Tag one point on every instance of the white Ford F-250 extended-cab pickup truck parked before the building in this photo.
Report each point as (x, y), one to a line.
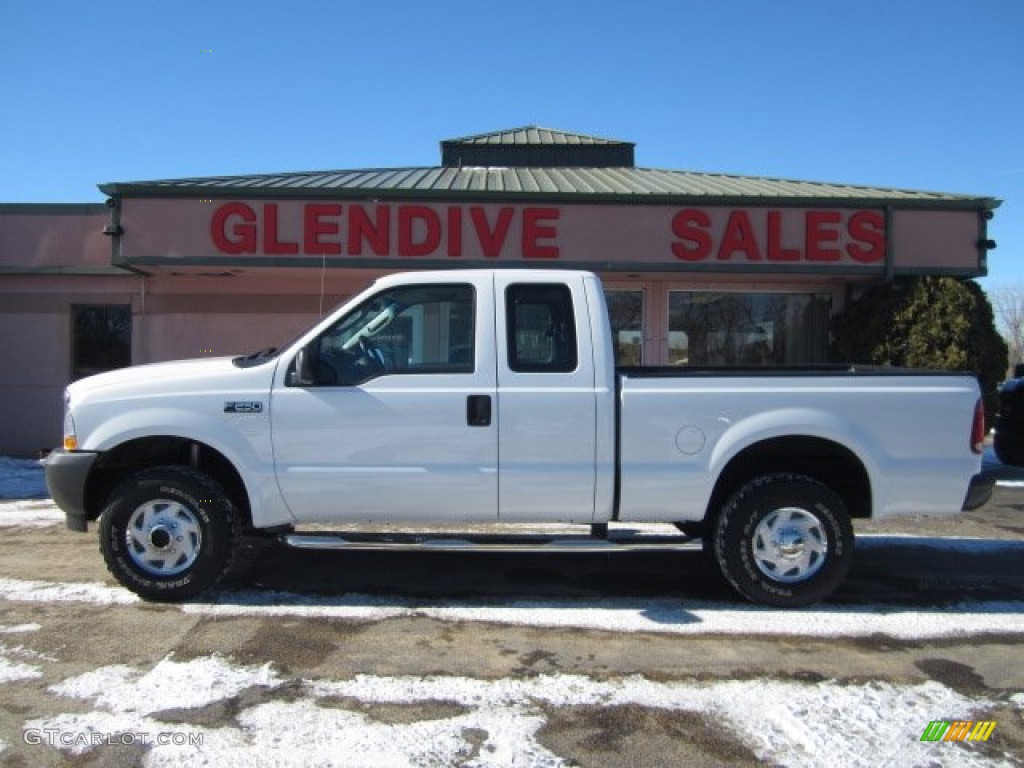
(476, 397)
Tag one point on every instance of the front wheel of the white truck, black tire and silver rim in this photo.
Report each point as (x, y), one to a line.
(168, 534)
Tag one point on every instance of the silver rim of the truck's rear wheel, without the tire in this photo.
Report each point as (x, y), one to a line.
(790, 545)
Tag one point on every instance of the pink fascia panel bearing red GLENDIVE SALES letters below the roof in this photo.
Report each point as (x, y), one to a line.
(751, 238)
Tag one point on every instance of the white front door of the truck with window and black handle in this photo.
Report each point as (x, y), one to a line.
(388, 415)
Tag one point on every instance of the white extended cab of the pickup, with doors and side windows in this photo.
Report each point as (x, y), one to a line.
(482, 388)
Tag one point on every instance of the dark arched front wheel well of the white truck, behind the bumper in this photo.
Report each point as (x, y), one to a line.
(115, 465)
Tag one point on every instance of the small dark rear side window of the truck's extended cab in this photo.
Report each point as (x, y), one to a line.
(541, 328)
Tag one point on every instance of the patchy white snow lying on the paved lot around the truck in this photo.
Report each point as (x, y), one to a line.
(791, 723)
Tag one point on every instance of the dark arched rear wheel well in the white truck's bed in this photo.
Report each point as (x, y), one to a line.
(828, 462)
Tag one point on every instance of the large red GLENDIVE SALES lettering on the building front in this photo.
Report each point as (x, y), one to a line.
(748, 236)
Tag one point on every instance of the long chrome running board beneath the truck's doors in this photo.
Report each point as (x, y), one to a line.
(486, 543)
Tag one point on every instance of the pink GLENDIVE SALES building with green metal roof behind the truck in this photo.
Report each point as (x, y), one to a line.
(700, 269)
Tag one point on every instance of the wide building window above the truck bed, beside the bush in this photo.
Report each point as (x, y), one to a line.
(754, 329)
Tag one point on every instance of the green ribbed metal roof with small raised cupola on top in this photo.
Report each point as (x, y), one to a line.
(549, 178)
